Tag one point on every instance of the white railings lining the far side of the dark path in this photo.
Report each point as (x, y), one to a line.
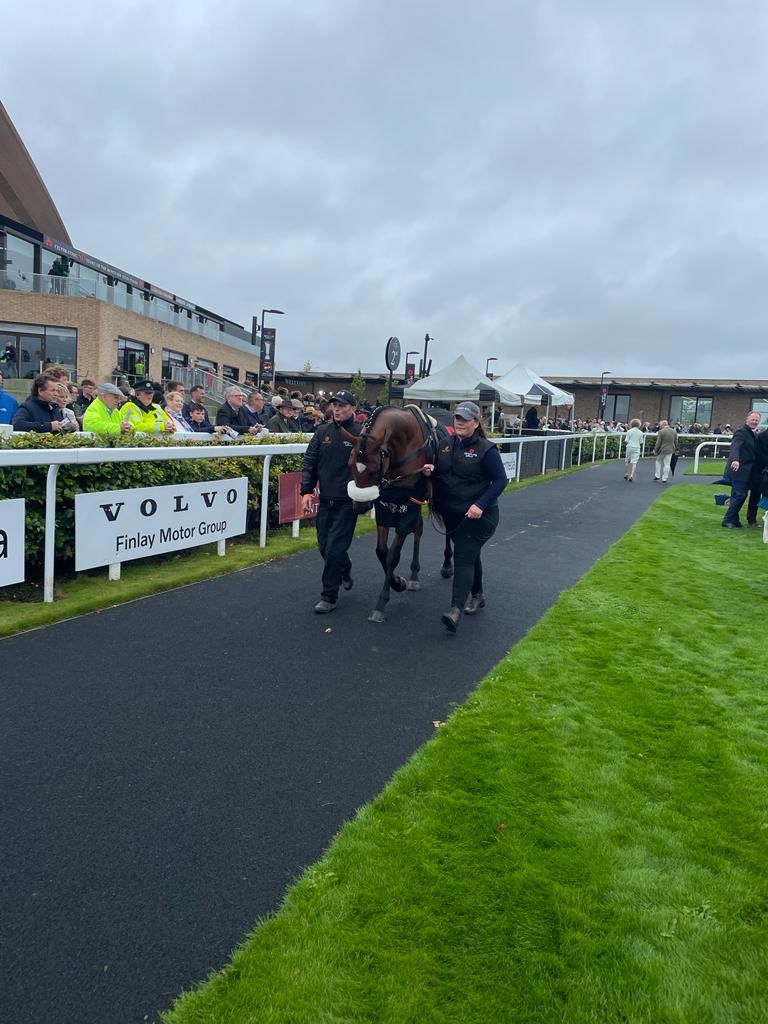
(54, 458)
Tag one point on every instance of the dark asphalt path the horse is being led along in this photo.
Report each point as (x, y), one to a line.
(169, 766)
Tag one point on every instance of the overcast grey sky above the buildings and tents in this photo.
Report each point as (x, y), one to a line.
(579, 185)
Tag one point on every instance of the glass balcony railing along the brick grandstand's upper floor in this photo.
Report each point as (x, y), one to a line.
(118, 295)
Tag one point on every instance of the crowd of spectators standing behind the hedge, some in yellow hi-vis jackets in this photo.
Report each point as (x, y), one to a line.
(59, 406)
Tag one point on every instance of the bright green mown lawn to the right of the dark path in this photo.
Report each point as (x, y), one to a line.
(585, 841)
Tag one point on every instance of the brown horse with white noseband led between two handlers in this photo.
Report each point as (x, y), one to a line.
(387, 462)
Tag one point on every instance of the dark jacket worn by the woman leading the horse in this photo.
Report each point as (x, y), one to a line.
(471, 472)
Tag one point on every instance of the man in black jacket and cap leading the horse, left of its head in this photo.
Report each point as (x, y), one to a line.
(327, 463)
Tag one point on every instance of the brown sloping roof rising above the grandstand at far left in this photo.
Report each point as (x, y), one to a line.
(24, 196)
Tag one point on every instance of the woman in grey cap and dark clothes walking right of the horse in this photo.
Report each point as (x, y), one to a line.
(471, 478)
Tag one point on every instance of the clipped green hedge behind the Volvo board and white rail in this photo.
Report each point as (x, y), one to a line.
(29, 483)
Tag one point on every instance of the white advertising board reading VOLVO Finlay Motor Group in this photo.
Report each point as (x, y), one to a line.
(118, 526)
